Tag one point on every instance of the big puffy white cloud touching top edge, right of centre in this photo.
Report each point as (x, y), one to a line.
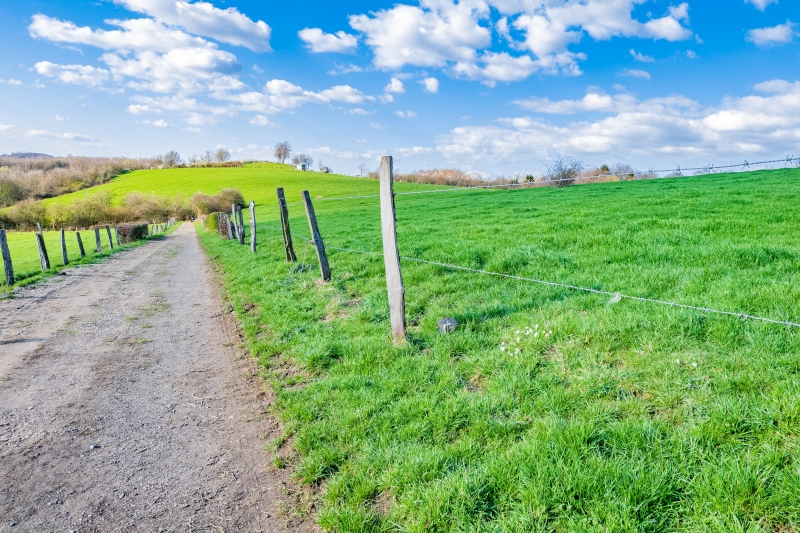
(457, 36)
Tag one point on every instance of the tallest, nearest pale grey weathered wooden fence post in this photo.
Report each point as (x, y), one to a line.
(391, 256)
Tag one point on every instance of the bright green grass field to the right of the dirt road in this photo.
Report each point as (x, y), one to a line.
(548, 409)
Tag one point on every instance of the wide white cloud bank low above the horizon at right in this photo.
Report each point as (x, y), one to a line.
(671, 127)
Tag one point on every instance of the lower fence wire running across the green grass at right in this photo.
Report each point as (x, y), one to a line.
(615, 296)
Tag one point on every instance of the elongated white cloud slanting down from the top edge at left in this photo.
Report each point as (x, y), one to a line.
(202, 18)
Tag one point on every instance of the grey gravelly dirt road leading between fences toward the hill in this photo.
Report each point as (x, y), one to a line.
(124, 406)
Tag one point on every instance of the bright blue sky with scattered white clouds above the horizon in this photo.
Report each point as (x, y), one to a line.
(492, 86)
